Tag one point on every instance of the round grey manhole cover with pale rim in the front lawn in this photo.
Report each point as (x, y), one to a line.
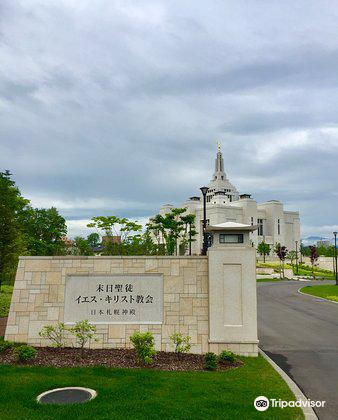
(70, 395)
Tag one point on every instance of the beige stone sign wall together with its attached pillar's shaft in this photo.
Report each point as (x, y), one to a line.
(211, 299)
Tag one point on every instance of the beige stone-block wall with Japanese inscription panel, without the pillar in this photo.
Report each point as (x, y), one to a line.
(47, 288)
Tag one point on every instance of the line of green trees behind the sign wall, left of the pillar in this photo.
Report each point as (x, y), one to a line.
(25, 230)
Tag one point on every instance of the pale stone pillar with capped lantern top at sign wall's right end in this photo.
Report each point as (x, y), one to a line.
(232, 290)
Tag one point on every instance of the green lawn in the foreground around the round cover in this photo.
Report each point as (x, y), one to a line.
(135, 394)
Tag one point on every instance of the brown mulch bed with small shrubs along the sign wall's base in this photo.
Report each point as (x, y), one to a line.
(122, 358)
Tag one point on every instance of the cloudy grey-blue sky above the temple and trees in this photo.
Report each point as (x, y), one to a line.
(115, 107)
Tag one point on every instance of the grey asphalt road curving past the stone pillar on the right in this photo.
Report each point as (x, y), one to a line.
(300, 333)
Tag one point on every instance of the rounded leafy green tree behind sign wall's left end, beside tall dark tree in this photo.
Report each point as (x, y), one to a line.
(44, 230)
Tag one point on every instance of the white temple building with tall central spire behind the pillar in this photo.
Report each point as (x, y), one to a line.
(225, 204)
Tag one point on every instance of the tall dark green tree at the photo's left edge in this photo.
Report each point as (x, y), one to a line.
(12, 242)
